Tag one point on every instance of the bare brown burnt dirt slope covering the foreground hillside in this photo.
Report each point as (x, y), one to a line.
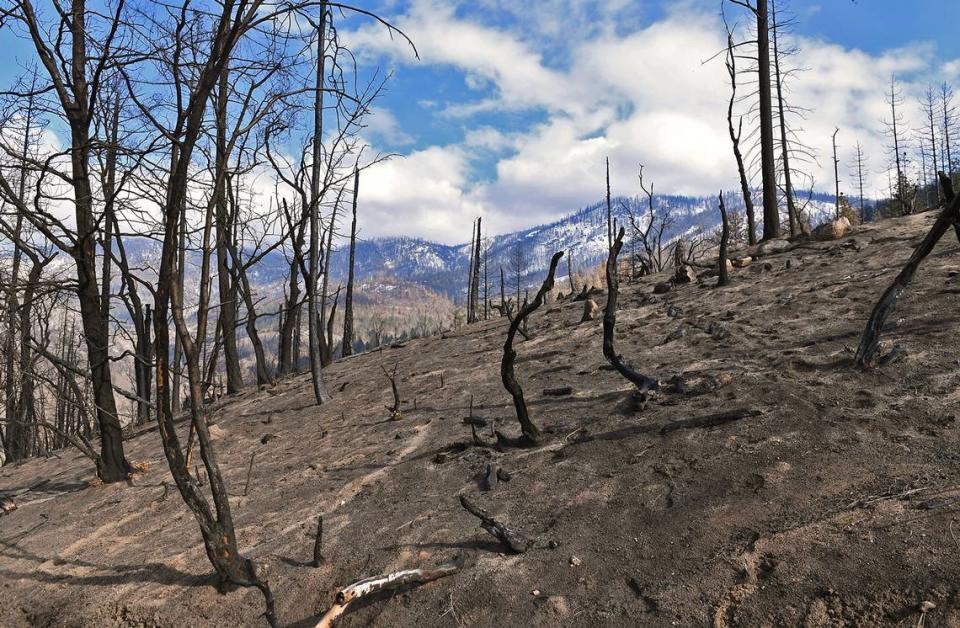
(833, 507)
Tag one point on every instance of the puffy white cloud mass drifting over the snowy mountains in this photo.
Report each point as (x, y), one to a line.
(638, 92)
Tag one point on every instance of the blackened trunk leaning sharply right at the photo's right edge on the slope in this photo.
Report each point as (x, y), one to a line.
(870, 341)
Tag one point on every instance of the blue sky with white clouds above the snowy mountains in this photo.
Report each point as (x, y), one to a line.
(513, 107)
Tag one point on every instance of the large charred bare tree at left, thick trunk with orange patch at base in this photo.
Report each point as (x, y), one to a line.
(75, 79)
